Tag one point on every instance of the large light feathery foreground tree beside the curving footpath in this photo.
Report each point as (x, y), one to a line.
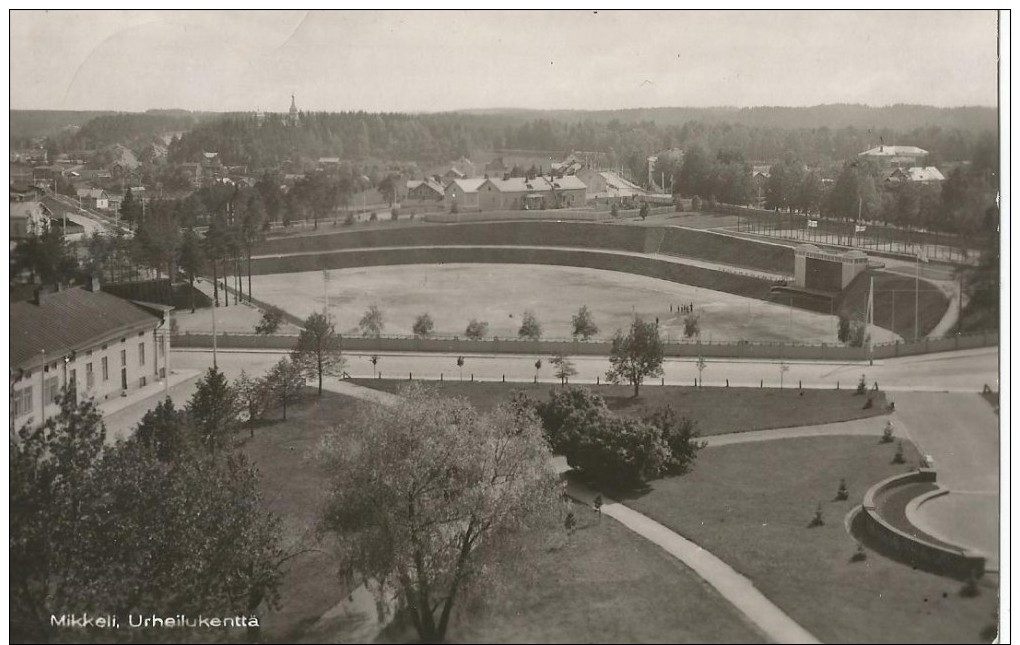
(433, 493)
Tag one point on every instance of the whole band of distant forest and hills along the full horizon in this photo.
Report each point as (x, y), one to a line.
(820, 136)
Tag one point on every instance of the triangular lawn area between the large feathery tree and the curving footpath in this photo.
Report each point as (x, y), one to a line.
(605, 585)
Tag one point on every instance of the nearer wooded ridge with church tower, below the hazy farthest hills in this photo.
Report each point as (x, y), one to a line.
(242, 140)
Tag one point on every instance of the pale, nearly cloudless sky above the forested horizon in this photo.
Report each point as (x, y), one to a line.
(421, 62)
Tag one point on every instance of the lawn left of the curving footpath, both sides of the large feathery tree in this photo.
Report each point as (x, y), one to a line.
(606, 585)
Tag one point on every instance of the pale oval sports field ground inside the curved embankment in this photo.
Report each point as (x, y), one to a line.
(499, 294)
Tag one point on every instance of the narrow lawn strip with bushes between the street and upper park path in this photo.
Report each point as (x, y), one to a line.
(718, 411)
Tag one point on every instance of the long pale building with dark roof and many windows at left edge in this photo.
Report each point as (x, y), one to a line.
(86, 340)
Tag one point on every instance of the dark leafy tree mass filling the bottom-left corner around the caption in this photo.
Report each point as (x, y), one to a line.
(132, 527)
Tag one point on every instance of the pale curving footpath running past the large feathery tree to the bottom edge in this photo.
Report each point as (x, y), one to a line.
(737, 589)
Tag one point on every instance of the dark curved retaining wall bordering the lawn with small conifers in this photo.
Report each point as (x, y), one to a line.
(917, 552)
